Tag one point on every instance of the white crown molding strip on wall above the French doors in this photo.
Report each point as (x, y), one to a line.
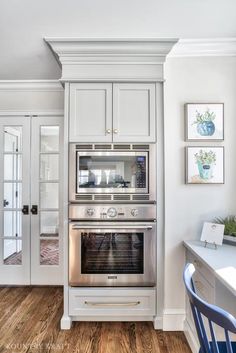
(31, 85)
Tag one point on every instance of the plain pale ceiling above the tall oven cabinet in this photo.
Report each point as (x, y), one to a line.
(24, 24)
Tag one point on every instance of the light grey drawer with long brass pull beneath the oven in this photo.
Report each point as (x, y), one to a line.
(109, 302)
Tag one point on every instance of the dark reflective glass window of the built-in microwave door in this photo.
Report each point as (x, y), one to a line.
(116, 171)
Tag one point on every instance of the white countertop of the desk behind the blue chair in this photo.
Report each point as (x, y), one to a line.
(221, 261)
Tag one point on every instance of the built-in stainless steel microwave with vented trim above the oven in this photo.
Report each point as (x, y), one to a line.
(112, 172)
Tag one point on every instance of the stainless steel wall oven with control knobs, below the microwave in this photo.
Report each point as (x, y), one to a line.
(111, 251)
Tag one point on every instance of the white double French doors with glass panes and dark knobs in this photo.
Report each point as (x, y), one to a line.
(30, 164)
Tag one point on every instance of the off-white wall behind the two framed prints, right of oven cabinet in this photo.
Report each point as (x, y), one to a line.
(187, 206)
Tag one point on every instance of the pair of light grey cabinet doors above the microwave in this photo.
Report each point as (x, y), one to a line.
(106, 112)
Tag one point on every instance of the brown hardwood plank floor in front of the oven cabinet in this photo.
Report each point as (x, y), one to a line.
(30, 318)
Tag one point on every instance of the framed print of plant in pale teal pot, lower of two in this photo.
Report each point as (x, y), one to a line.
(205, 165)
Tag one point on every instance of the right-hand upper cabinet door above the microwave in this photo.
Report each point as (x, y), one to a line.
(134, 112)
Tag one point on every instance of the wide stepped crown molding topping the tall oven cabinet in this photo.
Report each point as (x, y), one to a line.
(111, 58)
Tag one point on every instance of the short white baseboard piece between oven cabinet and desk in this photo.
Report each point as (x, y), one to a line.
(173, 319)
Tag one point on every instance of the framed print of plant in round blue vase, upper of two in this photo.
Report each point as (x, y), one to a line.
(204, 121)
